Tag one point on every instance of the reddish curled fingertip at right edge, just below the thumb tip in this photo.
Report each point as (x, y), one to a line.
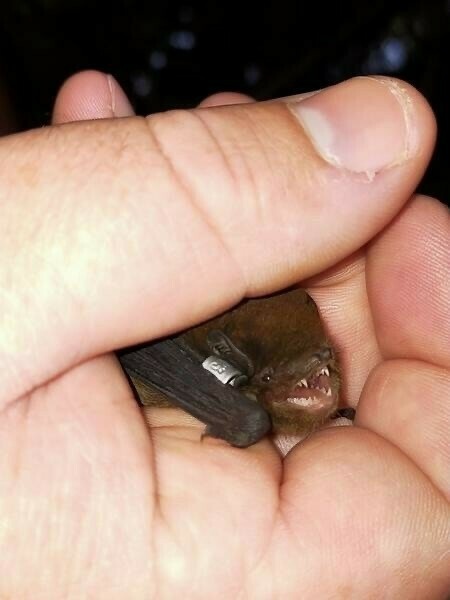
(409, 285)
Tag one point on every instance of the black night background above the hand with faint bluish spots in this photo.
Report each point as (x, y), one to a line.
(173, 54)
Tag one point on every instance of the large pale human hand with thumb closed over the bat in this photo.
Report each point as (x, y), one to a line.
(119, 231)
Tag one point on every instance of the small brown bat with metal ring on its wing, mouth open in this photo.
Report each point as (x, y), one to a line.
(267, 356)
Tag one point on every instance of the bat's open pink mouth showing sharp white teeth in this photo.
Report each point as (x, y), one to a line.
(313, 392)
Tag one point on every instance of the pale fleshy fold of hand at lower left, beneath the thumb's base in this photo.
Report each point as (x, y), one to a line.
(85, 477)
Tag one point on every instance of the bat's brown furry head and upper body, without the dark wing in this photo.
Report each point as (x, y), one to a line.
(280, 345)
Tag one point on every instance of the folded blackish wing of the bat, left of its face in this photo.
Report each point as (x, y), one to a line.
(170, 367)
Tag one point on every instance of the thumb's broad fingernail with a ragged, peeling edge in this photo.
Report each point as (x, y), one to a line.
(363, 125)
